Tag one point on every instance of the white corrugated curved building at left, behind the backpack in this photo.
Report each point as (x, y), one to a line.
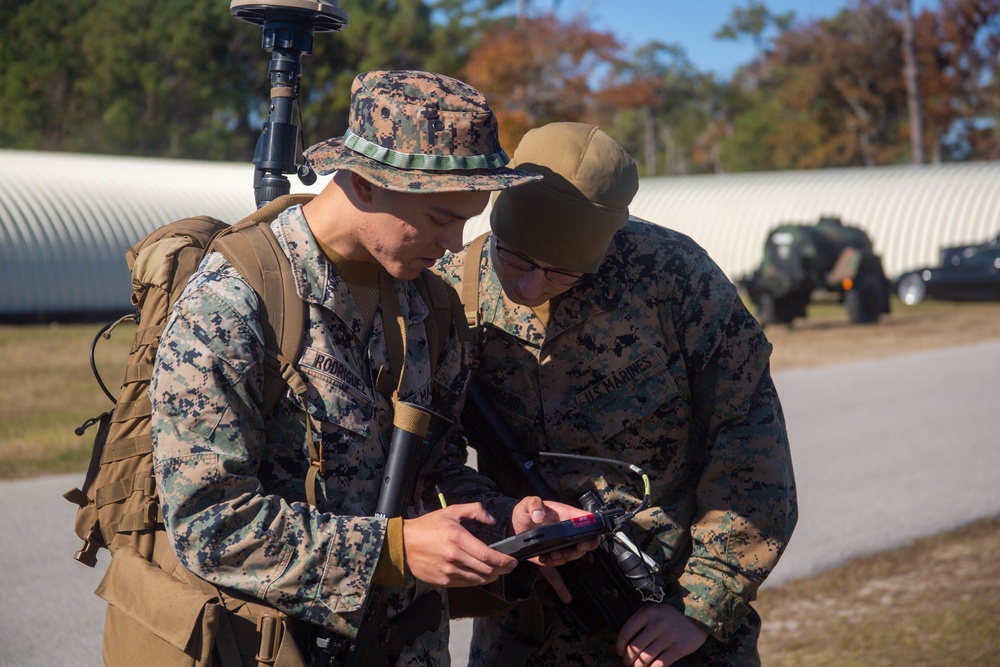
(66, 219)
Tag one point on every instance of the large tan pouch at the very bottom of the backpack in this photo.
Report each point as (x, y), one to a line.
(153, 618)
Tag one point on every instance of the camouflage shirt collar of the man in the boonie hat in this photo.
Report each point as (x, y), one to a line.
(318, 284)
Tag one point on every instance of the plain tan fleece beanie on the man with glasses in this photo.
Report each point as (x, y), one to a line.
(567, 219)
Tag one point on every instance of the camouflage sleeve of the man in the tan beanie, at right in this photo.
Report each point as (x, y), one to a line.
(745, 496)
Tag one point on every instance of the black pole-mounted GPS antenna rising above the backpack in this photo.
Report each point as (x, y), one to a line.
(288, 27)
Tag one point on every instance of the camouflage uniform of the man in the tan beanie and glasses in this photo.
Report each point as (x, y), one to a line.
(657, 363)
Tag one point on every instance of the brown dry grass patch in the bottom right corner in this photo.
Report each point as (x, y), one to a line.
(934, 603)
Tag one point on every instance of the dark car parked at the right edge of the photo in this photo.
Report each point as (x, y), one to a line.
(966, 273)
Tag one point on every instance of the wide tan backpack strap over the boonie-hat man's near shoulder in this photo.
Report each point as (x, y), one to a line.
(251, 247)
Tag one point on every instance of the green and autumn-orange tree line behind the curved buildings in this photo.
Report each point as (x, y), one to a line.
(875, 84)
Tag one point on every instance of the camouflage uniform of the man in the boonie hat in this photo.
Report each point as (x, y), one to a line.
(232, 485)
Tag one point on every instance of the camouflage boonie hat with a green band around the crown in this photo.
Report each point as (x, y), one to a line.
(414, 131)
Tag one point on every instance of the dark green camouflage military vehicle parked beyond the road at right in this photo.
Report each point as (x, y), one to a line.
(802, 261)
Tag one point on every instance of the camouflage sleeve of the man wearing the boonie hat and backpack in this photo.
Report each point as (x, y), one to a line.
(224, 523)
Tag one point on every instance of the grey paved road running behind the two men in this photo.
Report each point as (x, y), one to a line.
(884, 451)
